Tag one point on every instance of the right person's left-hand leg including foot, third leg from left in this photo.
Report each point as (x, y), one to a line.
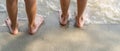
(64, 8)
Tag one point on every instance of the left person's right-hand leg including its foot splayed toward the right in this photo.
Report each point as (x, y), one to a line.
(31, 13)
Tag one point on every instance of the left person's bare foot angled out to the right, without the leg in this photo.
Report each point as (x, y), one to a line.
(38, 22)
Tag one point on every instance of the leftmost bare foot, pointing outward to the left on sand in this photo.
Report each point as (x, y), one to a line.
(13, 29)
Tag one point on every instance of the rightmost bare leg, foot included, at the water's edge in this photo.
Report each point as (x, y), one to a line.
(81, 4)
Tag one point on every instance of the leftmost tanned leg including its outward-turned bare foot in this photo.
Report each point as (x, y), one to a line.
(12, 12)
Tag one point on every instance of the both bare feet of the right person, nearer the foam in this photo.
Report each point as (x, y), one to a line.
(79, 21)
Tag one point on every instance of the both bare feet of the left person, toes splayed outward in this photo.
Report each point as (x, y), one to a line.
(32, 28)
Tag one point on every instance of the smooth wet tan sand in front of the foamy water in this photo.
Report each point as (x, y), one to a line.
(52, 37)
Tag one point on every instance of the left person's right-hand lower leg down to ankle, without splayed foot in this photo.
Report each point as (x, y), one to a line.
(31, 12)
